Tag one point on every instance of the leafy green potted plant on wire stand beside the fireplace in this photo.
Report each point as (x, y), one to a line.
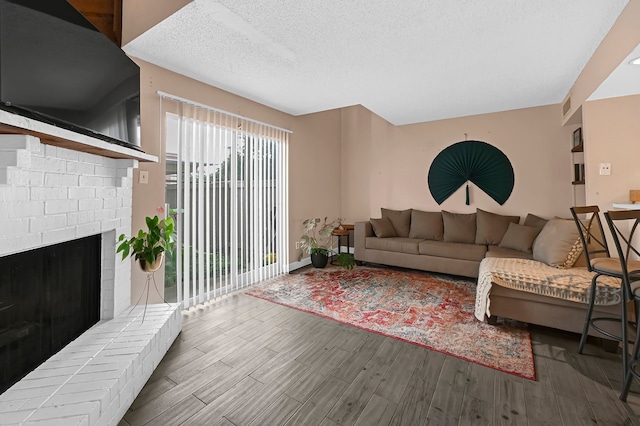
(148, 247)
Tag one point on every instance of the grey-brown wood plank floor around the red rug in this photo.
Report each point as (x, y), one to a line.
(245, 361)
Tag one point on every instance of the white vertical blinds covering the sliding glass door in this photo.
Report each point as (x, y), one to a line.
(227, 190)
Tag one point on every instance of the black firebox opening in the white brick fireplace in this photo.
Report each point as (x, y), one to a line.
(48, 297)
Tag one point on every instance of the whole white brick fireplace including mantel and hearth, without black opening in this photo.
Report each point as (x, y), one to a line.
(51, 194)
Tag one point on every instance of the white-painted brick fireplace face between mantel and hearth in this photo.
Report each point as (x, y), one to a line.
(49, 195)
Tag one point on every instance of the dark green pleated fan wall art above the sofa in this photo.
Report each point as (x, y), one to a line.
(471, 161)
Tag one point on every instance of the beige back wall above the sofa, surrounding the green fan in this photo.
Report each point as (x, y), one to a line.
(397, 160)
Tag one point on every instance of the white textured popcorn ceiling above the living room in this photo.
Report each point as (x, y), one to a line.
(407, 61)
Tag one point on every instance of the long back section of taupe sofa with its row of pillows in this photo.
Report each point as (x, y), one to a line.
(443, 242)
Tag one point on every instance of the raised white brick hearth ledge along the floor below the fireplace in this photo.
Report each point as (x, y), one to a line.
(95, 379)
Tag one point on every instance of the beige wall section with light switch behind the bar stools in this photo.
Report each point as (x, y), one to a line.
(612, 135)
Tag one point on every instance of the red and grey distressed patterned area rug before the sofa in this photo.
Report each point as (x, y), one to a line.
(435, 312)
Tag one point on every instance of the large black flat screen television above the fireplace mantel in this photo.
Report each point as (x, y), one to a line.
(57, 68)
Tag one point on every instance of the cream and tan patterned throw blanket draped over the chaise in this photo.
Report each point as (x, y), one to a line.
(572, 284)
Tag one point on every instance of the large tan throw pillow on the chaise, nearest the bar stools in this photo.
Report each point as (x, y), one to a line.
(558, 243)
